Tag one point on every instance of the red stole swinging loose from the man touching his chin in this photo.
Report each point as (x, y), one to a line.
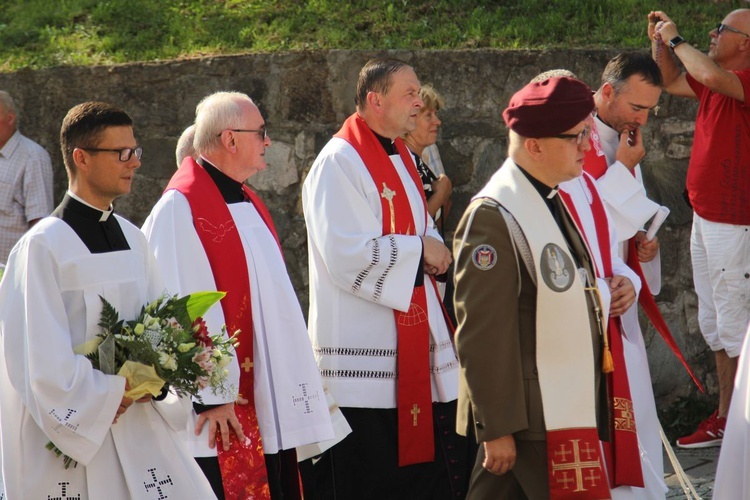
(596, 166)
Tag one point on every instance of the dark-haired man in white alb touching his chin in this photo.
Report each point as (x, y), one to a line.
(630, 90)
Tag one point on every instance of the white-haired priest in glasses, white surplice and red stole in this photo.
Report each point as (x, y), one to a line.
(210, 231)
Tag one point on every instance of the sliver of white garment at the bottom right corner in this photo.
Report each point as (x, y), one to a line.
(732, 479)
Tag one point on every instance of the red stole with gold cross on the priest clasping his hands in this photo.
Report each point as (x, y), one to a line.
(413, 390)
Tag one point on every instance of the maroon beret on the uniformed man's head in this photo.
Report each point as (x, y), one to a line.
(549, 108)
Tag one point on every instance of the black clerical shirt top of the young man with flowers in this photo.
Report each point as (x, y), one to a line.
(98, 230)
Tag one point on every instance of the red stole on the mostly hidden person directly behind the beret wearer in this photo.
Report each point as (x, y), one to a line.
(623, 457)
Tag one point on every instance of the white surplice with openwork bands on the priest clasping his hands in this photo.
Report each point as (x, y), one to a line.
(358, 277)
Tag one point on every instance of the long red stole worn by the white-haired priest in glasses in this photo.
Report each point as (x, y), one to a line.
(243, 468)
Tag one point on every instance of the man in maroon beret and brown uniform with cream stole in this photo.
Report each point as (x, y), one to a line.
(529, 338)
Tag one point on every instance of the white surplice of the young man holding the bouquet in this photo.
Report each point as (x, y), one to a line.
(49, 304)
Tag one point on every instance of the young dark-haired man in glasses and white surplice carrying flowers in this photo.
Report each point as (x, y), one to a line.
(50, 304)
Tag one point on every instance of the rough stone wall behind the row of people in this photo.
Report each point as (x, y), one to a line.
(306, 96)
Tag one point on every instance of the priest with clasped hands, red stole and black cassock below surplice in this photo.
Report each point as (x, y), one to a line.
(380, 334)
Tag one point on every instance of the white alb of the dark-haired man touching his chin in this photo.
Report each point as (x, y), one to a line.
(625, 199)
